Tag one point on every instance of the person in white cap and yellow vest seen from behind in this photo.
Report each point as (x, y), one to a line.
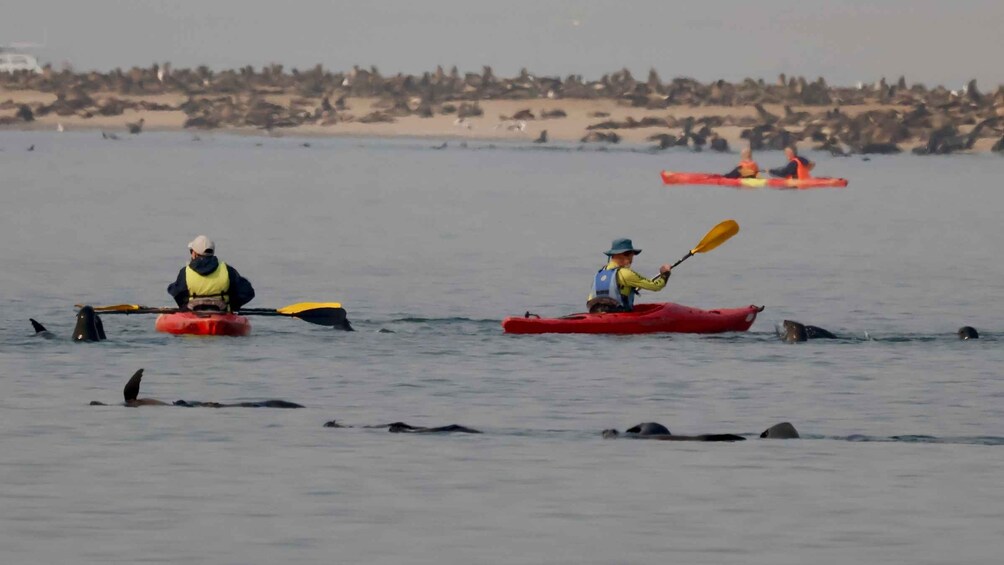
(207, 284)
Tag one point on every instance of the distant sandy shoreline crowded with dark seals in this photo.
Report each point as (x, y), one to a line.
(619, 109)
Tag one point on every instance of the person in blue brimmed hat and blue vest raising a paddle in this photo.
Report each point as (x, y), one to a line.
(615, 287)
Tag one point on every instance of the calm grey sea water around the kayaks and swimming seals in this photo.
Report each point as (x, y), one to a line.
(437, 247)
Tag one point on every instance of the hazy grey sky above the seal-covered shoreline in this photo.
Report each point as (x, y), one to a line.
(933, 42)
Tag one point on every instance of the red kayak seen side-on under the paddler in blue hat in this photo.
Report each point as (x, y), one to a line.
(645, 319)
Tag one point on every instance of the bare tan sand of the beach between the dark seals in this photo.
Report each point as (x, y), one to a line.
(577, 119)
